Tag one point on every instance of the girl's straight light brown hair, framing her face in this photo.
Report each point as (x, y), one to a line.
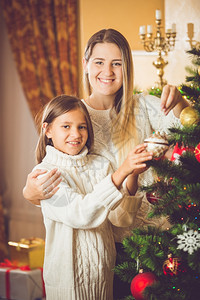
(53, 109)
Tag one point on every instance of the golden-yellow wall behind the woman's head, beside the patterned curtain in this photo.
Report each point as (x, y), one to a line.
(123, 15)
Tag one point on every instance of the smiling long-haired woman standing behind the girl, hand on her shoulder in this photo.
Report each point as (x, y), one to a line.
(120, 119)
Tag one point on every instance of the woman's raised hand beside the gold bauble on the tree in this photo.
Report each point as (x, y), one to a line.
(171, 98)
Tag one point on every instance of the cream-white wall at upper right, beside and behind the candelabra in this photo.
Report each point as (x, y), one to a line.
(181, 12)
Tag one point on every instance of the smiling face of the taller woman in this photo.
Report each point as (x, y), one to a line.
(104, 69)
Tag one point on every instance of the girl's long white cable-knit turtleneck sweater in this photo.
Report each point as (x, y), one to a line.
(80, 249)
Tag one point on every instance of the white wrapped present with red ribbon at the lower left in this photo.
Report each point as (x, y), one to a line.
(20, 283)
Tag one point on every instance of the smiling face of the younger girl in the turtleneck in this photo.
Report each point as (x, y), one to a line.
(69, 132)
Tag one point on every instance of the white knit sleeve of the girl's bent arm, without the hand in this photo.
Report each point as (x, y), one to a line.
(82, 211)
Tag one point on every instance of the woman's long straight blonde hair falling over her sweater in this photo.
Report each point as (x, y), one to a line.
(124, 133)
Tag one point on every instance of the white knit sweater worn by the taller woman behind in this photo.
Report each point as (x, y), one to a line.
(149, 118)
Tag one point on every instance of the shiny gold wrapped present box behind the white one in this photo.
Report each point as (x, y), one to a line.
(28, 252)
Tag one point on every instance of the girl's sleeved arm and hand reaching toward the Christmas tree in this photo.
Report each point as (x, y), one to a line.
(76, 210)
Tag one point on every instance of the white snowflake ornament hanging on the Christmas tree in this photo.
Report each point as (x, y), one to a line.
(189, 241)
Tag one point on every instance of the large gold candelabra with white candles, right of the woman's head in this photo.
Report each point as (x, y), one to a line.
(159, 43)
